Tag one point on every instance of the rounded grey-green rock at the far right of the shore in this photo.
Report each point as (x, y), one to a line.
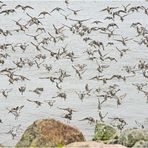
(130, 136)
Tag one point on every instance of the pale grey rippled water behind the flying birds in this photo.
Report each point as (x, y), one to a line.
(133, 107)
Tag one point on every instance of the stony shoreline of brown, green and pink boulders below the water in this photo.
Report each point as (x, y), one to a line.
(53, 133)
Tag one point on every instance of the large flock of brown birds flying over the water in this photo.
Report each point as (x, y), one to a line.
(48, 52)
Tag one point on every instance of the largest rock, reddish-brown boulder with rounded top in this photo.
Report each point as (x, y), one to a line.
(49, 133)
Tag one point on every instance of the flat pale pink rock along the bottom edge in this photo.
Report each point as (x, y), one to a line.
(92, 144)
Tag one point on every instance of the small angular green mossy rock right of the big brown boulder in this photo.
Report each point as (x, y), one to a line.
(104, 132)
